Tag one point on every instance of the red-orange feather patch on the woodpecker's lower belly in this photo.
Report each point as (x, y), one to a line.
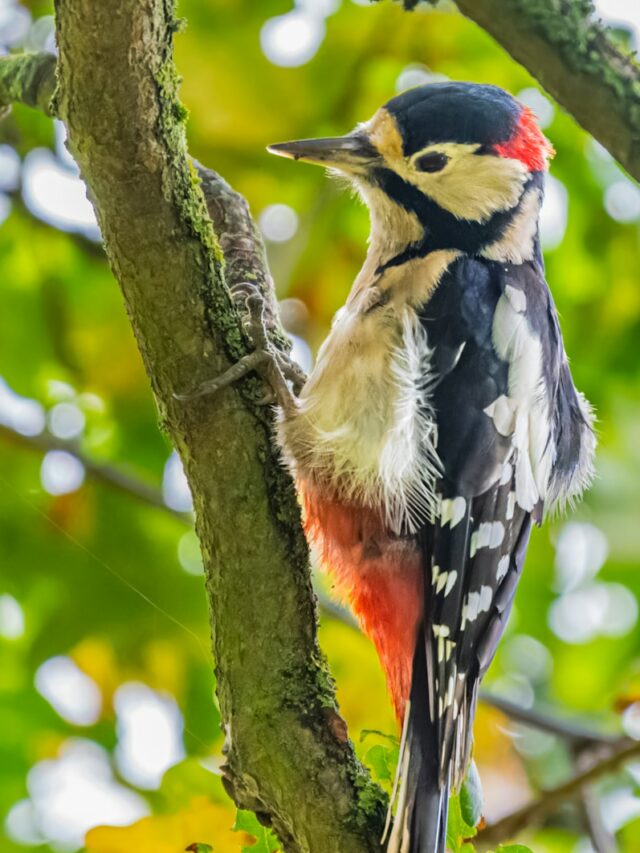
(380, 575)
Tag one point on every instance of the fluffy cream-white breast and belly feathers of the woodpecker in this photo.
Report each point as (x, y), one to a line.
(363, 427)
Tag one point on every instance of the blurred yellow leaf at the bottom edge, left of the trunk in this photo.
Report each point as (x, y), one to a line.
(201, 822)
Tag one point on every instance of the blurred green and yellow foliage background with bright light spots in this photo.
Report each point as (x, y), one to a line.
(107, 711)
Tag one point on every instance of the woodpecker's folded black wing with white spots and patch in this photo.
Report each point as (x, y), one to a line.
(474, 550)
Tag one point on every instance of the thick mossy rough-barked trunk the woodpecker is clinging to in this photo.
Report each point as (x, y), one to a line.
(288, 755)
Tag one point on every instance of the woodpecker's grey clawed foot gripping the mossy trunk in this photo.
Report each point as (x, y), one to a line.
(275, 367)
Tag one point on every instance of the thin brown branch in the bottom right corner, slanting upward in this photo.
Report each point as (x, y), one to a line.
(548, 801)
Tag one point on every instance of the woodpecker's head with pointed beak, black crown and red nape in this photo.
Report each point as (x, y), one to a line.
(442, 166)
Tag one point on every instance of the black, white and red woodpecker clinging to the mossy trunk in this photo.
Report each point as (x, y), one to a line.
(440, 420)
